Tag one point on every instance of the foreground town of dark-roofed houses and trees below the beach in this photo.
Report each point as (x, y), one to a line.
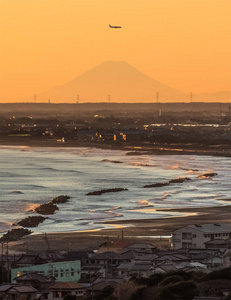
(194, 264)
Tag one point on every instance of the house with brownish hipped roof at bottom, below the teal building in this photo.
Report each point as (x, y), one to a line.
(62, 289)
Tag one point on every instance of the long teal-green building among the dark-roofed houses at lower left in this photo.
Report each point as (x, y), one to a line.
(61, 271)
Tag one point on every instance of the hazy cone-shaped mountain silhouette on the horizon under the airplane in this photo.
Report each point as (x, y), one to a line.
(115, 81)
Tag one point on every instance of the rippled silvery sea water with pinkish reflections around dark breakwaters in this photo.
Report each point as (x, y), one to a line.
(33, 176)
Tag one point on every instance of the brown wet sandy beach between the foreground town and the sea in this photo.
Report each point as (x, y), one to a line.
(155, 231)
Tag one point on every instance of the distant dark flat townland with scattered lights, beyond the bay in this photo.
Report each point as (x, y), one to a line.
(160, 127)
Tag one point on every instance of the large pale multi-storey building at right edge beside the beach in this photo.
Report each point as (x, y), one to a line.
(196, 236)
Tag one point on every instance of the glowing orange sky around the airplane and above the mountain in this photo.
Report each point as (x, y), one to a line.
(185, 44)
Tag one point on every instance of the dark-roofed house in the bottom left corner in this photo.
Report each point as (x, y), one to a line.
(17, 292)
